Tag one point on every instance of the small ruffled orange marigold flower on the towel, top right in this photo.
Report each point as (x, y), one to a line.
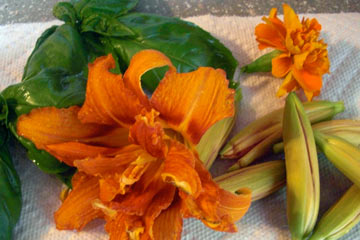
(304, 58)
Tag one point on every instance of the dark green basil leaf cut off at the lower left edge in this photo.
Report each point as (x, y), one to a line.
(10, 190)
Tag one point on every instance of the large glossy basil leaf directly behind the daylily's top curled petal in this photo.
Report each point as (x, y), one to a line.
(187, 45)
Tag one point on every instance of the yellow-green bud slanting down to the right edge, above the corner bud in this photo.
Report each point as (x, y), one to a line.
(344, 155)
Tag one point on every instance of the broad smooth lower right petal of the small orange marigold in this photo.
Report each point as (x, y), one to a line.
(307, 81)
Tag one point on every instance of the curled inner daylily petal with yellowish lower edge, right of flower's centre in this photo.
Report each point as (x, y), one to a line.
(179, 169)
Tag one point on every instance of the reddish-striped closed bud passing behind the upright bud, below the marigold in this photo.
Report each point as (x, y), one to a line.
(257, 138)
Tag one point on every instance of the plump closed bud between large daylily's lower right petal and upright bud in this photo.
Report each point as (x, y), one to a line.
(263, 179)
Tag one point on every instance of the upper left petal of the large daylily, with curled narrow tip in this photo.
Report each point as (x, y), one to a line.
(107, 100)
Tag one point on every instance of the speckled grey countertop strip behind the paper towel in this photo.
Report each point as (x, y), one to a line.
(20, 11)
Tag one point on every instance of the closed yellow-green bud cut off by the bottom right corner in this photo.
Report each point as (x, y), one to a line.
(340, 218)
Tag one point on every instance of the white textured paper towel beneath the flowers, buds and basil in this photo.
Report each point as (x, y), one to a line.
(267, 217)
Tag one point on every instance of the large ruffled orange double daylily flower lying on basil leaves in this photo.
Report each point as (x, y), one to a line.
(136, 159)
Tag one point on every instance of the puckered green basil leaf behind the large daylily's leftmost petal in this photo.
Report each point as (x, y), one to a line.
(55, 75)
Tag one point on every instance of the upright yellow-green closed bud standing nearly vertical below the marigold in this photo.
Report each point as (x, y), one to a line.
(302, 170)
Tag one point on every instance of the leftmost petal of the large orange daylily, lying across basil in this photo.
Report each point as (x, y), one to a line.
(50, 125)
